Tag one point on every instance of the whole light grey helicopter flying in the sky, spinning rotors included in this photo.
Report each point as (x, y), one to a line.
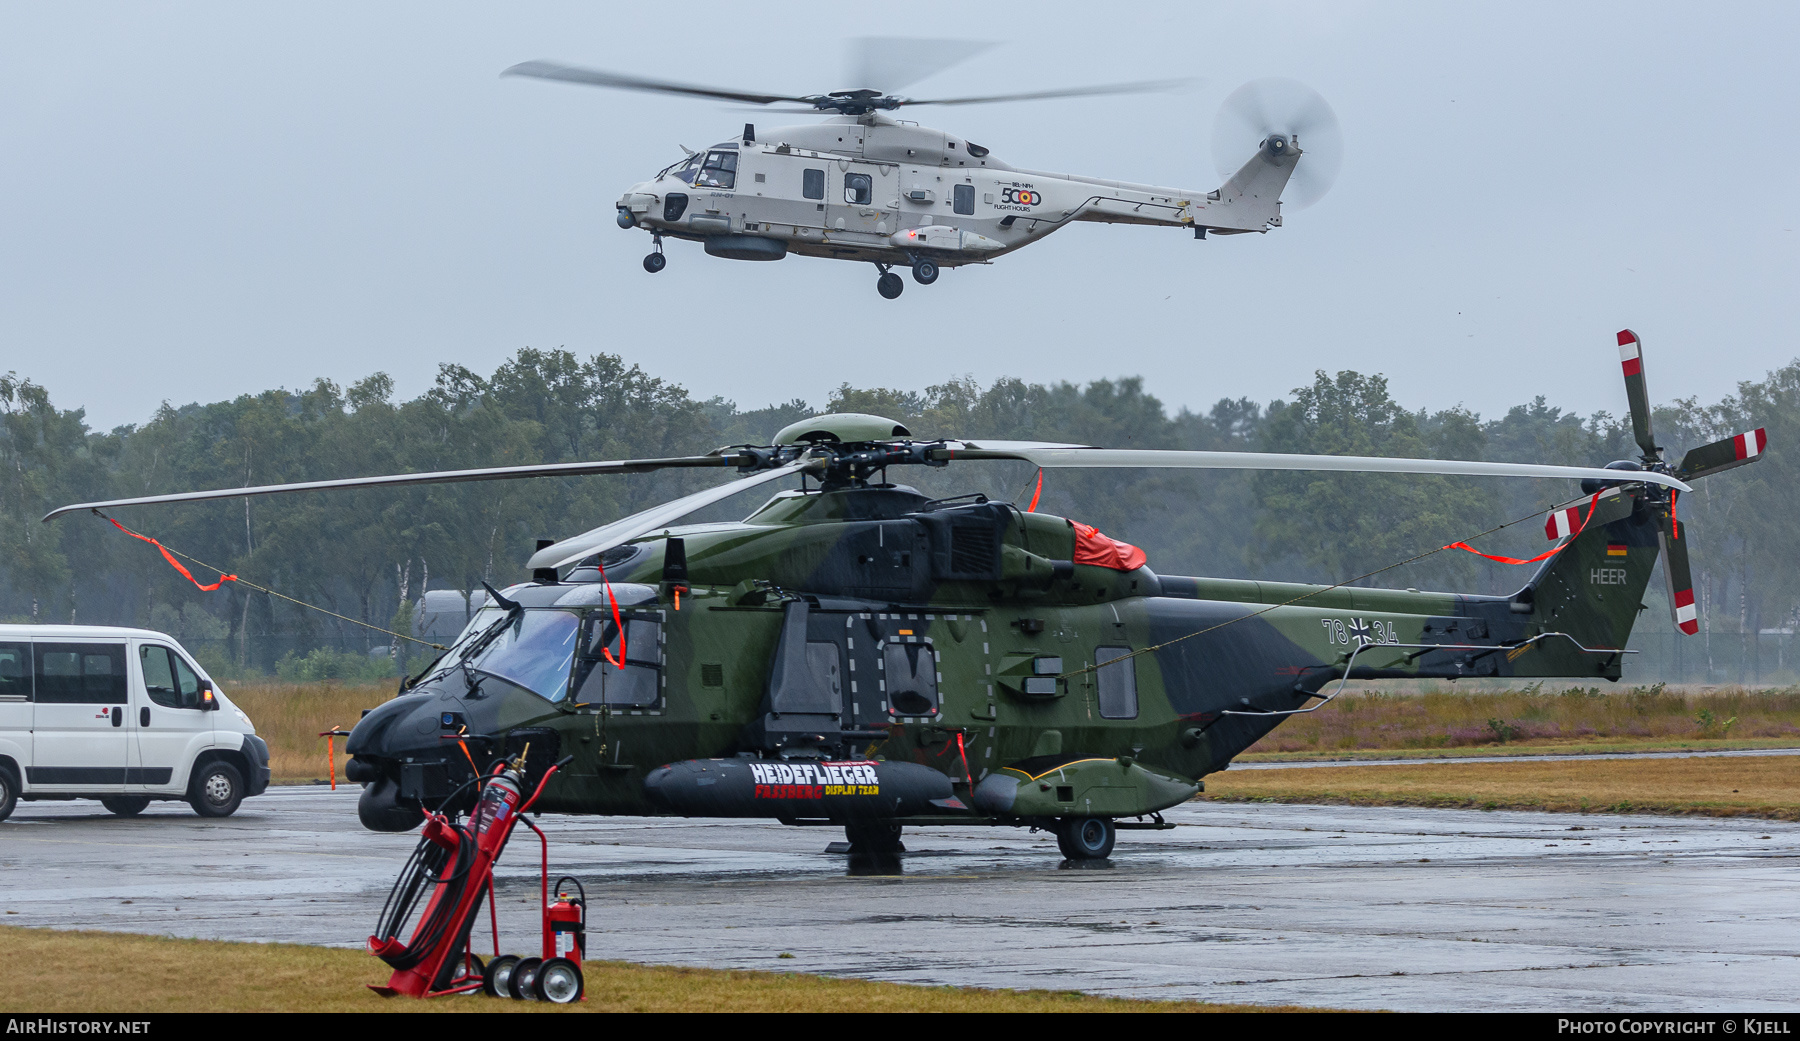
(872, 188)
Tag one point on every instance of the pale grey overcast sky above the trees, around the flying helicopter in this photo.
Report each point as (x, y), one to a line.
(210, 199)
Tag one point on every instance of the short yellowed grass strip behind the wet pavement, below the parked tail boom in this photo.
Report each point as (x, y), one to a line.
(1749, 786)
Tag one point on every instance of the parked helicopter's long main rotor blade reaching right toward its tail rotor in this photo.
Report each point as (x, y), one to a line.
(1284, 462)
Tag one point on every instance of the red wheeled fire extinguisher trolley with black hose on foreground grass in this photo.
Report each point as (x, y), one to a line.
(456, 864)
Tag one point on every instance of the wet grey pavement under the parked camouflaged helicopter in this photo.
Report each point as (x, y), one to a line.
(1347, 907)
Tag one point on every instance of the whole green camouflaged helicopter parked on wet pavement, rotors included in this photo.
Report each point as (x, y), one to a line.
(861, 656)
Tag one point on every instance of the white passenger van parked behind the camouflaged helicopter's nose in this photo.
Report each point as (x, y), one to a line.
(120, 716)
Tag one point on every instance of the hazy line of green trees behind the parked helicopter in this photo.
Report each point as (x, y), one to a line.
(372, 556)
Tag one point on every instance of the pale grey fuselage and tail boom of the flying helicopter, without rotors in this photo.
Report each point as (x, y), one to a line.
(870, 188)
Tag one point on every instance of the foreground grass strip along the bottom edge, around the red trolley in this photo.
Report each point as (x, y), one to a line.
(67, 972)
